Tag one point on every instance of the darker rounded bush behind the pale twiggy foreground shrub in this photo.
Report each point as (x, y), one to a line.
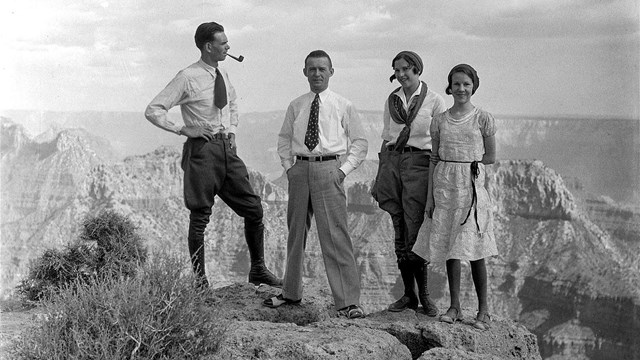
(108, 247)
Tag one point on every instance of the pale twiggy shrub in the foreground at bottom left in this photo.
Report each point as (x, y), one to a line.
(157, 314)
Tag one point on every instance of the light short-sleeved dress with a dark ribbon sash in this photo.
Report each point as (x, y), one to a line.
(460, 143)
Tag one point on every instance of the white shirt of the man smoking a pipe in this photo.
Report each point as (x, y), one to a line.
(192, 89)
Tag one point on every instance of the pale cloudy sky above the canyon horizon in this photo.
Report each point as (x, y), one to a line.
(534, 57)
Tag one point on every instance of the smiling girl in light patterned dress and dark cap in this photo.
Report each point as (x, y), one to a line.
(458, 203)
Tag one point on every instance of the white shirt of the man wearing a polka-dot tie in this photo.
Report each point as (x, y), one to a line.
(340, 127)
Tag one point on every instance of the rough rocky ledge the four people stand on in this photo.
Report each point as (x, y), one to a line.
(313, 330)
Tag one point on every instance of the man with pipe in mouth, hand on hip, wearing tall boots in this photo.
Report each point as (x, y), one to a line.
(211, 165)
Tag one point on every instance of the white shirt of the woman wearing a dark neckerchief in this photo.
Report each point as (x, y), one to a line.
(420, 137)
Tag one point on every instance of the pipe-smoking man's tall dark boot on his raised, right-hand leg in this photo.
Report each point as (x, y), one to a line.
(259, 274)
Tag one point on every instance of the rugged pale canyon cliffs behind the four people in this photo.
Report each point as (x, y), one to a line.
(565, 269)
